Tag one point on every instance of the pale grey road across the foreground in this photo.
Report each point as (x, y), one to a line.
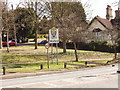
(97, 77)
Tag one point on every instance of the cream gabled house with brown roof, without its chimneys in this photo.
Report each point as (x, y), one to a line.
(98, 26)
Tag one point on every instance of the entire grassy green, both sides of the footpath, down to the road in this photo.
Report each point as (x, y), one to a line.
(29, 60)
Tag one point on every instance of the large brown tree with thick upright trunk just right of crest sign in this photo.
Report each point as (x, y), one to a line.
(60, 12)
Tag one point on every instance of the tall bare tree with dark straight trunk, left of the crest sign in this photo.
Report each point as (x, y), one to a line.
(40, 9)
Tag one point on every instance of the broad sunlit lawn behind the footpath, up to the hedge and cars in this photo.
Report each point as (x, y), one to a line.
(25, 54)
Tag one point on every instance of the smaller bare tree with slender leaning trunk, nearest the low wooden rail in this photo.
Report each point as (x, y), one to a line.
(77, 24)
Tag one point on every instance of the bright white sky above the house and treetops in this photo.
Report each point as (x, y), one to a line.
(96, 7)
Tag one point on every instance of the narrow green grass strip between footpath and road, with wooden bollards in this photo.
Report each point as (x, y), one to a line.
(27, 68)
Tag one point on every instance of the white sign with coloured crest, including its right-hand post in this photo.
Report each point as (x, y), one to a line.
(54, 38)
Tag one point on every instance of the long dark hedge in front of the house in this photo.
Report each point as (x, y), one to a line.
(93, 46)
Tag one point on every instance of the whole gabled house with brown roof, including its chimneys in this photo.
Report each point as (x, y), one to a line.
(98, 26)
